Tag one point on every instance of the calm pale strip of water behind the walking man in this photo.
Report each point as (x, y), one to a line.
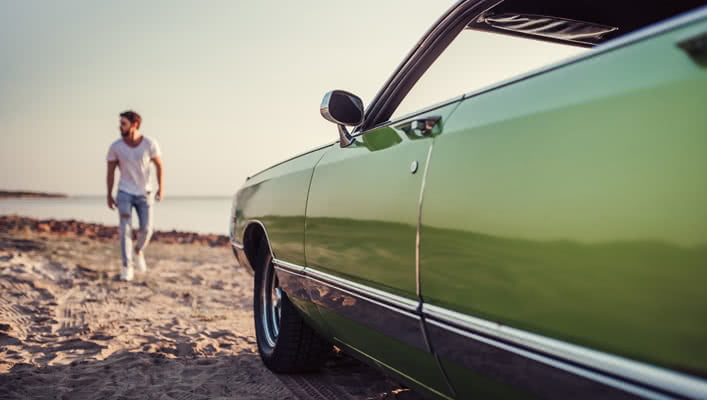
(201, 214)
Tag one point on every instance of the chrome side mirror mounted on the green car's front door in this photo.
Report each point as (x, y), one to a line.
(343, 109)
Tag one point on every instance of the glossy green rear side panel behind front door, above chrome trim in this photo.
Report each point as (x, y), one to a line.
(574, 204)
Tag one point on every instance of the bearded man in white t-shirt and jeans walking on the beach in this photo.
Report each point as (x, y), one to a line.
(133, 153)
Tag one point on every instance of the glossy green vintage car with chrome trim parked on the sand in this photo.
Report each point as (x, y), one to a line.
(543, 237)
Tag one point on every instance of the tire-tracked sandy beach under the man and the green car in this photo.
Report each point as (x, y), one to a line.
(184, 330)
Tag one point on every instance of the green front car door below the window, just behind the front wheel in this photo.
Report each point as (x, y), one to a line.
(360, 243)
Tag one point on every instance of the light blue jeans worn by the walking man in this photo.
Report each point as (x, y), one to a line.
(143, 206)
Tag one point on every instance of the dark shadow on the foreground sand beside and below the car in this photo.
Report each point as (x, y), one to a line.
(140, 375)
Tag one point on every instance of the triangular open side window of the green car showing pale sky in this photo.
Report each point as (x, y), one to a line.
(478, 59)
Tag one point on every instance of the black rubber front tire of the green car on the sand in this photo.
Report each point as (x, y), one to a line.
(296, 347)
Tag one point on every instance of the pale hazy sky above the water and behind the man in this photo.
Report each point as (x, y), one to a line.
(227, 88)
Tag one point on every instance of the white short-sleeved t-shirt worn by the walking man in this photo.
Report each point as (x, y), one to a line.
(134, 164)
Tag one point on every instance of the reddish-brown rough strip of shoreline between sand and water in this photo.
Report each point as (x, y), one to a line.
(95, 231)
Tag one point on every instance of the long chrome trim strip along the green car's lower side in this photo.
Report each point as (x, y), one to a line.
(550, 351)
